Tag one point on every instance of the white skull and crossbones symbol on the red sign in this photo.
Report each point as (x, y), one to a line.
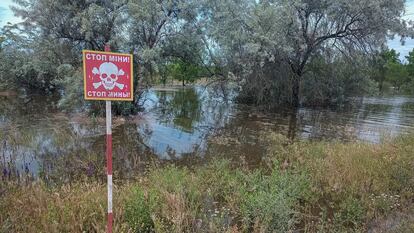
(108, 73)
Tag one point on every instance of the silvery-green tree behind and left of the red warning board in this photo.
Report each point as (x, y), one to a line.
(55, 32)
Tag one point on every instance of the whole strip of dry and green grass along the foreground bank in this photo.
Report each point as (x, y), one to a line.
(307, 186)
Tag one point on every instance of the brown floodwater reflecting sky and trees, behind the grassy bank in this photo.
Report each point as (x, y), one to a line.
(183, 126)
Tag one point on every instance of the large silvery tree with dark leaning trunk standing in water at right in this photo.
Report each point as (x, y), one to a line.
(293, 32)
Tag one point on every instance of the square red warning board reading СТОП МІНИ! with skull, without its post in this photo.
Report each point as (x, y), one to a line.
(107, 76)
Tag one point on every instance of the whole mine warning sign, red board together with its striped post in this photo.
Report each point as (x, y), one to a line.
(96, 87)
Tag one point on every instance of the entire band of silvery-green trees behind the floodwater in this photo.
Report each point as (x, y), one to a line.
(280, 52)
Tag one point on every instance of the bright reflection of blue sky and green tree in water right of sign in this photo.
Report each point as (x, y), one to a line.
(180, 121)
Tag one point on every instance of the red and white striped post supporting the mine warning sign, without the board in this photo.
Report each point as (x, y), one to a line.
(109, 156)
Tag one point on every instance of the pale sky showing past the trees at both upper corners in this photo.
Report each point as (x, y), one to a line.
(6, 15)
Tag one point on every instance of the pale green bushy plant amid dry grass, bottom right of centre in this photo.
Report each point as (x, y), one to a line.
(270, 203)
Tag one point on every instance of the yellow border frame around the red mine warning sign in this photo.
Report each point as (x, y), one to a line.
(131, 77)
